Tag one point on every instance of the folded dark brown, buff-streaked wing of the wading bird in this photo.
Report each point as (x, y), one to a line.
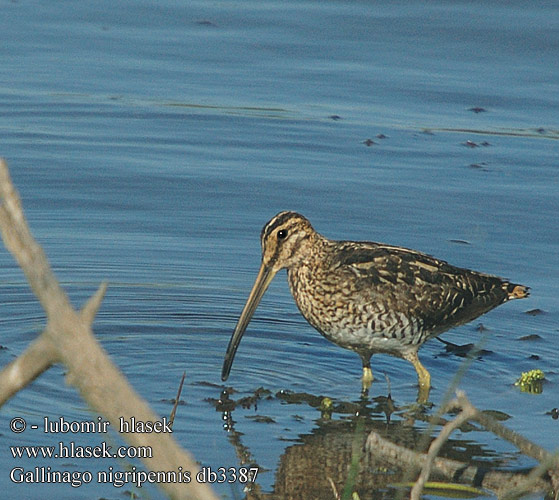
(418, 285)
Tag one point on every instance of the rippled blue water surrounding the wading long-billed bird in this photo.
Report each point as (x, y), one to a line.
(151, 142)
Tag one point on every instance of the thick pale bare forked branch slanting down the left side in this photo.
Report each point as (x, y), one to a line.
(69, 335)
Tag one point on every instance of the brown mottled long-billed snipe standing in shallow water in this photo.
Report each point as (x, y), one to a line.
(369, 297)
